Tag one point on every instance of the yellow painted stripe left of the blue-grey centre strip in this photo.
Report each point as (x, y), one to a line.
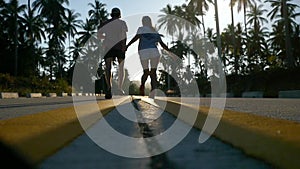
(38, 136)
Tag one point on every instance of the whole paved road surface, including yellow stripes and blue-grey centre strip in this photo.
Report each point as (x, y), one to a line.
(39, 134)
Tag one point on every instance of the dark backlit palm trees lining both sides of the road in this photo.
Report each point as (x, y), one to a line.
(45, 37)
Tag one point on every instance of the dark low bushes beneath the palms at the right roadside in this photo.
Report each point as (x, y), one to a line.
(270, 82)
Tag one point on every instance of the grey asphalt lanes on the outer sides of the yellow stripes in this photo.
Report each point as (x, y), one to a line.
(271, 107)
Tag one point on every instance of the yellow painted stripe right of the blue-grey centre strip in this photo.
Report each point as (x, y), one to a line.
(275, 141)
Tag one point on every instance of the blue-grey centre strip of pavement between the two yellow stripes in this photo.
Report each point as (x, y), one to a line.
(189, 154)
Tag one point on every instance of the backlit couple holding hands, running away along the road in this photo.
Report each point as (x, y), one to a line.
(113, 32)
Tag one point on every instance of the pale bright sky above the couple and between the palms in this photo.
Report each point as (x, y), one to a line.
(135, 9)
